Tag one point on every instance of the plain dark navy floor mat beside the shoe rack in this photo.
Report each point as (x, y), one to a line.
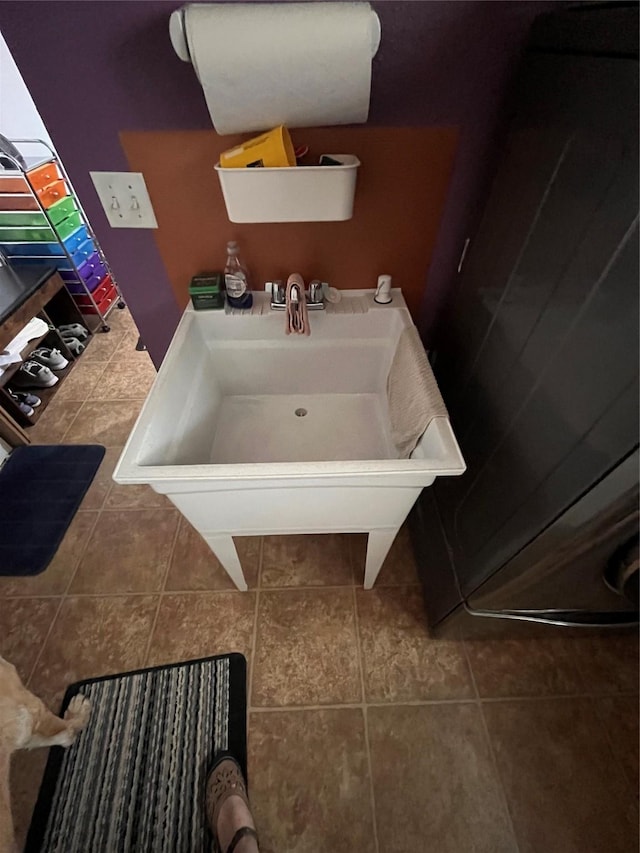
(41, 489)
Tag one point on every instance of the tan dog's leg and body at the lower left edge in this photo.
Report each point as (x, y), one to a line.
(25, 723)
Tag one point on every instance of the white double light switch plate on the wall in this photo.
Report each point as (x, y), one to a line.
(125, 199)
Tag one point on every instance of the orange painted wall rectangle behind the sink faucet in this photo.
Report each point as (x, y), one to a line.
(400, 194)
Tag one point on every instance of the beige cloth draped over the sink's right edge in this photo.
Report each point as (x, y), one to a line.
(412, 393)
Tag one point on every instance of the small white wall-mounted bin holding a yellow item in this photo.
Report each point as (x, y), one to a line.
(296, 194)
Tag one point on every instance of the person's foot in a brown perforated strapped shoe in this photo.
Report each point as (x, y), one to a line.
(228, 809)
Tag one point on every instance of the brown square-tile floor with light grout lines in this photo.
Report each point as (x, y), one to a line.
(364, 733)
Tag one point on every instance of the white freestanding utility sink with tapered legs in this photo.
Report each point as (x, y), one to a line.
(250, 432)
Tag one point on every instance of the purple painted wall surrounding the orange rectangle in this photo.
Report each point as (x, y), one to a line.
(96, 68)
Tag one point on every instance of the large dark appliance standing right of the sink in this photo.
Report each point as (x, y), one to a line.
(538, 358)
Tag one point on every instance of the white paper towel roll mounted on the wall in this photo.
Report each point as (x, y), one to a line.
(299, 64)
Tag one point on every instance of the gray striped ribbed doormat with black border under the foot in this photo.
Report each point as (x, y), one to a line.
(134, 780)
